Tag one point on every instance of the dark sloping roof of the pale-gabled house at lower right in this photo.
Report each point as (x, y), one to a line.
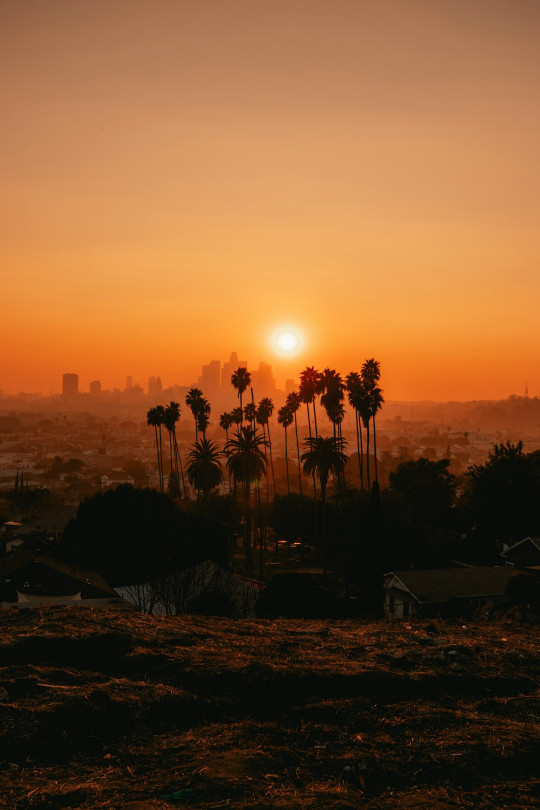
(442, 584)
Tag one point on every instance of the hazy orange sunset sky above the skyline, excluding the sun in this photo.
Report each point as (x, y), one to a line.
(182, 177)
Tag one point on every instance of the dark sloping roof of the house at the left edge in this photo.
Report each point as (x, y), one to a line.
(31, 572)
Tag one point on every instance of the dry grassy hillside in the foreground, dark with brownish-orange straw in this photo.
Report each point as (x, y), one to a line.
(116, 710)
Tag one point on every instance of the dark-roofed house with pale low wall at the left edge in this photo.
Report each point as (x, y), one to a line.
(31, 579)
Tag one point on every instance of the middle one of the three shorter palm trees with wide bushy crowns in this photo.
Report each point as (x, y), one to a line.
(247, 461)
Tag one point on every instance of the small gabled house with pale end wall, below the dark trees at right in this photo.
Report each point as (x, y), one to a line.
(445, 591)
